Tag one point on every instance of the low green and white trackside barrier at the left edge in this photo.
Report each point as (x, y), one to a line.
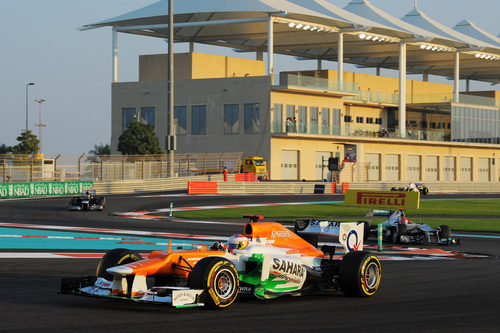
(25, 190)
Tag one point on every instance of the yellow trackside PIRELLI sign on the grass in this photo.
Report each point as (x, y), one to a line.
(382, 199)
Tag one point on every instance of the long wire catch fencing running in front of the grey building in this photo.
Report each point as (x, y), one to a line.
(61, 168)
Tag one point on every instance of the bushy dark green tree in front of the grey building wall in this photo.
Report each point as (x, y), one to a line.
(139, 139)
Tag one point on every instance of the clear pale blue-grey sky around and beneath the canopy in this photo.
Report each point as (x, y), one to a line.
(71, 69)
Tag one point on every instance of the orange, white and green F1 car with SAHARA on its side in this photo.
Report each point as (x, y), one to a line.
(267, 260)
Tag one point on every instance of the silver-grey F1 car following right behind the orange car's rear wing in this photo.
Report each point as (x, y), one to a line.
(398, 229)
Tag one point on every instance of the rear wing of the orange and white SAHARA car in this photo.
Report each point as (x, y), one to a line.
(350, 234)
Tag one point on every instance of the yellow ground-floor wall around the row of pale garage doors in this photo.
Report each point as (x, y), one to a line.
(308, 146)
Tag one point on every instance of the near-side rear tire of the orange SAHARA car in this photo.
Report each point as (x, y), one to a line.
(360, 274)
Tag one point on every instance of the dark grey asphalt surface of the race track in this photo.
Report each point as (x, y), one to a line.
(415, 295)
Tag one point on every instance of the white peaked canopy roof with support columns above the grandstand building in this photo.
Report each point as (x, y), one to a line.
(317, 29)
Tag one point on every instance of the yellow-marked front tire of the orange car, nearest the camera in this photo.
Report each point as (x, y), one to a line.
(218, 278)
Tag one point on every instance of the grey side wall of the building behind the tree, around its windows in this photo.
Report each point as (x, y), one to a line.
(213, 93)
